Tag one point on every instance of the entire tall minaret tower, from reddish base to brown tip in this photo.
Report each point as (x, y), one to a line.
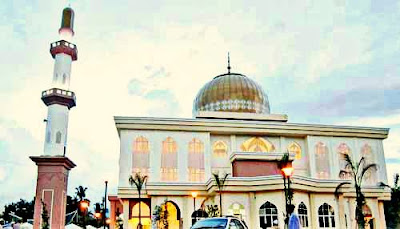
(53, 165)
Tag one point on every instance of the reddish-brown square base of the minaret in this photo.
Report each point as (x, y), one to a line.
(51, 189)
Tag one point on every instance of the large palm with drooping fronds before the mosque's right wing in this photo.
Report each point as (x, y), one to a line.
(356, 171)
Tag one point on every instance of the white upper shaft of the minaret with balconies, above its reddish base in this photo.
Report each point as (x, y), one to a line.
(59, 99)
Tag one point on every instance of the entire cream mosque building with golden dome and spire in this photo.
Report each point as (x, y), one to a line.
(233, 131)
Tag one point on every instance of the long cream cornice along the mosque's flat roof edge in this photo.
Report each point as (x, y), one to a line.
(225, 126)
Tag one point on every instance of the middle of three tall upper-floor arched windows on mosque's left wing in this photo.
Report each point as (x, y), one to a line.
(169, 160)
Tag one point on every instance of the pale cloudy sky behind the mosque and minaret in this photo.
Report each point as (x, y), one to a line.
(328, 62)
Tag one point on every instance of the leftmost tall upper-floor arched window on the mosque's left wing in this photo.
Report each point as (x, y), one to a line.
(140, 156)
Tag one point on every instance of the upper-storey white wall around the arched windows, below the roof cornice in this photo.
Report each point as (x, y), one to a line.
(306, 166)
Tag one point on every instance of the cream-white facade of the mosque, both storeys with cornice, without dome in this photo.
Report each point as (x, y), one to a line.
(246, 196)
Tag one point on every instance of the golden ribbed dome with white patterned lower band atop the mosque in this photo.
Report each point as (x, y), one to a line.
(232, 92)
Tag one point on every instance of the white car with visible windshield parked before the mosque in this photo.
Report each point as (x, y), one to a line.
(220, 223)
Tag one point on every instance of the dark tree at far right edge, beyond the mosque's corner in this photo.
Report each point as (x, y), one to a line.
(392, 207)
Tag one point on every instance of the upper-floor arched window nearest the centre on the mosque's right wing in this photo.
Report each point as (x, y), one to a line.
(322, 160)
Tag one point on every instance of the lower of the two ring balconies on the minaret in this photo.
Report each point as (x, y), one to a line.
(59, 96)
